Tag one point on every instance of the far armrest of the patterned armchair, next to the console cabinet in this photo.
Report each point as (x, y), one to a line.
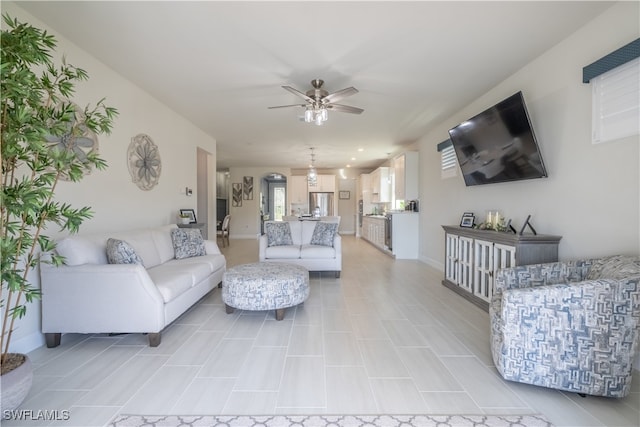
(526, 276)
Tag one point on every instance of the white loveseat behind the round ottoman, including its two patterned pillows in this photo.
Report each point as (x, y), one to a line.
(315, 245)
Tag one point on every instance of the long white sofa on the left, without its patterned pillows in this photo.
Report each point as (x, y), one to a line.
(90, 295)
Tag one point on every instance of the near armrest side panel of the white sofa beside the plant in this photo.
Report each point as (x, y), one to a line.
(92, 298)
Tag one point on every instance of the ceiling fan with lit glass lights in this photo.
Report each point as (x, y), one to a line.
(319, 102)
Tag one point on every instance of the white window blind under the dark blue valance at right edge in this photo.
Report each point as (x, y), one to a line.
(616, 103)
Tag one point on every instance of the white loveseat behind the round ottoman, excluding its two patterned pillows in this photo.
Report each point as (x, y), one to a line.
(314, 257)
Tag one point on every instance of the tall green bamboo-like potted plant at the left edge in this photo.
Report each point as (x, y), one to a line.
(45, 138)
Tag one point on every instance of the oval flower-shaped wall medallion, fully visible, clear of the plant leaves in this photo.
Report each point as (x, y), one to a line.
(143, 160)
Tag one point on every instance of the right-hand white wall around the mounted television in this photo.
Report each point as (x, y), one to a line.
(592, 194)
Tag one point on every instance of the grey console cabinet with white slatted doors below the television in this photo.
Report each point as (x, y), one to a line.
(472, 258)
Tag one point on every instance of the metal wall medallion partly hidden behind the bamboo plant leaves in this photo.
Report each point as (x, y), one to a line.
(77, 139)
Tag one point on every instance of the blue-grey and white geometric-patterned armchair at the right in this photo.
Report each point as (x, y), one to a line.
(571, 326)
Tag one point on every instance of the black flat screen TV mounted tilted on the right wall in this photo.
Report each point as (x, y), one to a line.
(498, 145)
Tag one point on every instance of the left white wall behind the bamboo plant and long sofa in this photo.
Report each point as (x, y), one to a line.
(117, 202)
